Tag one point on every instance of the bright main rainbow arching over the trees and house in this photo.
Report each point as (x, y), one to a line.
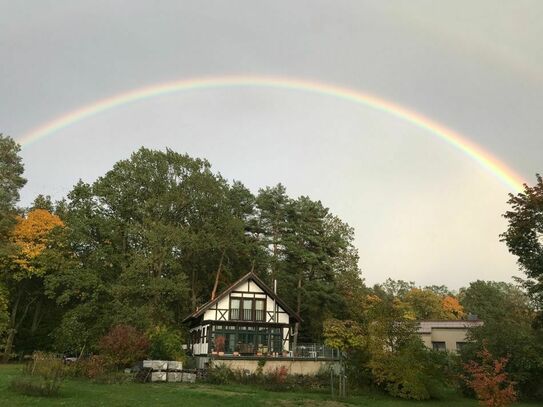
(484, 158)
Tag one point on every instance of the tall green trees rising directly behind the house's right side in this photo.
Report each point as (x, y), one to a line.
(311, 253)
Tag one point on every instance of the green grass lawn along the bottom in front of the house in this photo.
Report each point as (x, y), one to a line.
(84, 393)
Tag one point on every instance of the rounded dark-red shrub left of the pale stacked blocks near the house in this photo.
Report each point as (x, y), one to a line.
(124, 345)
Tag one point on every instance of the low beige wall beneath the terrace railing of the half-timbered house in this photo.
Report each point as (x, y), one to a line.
(294, 366)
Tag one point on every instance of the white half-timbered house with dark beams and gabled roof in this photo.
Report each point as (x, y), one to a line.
(246, 319)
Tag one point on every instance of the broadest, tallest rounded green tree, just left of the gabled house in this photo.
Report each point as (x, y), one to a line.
(149, 238)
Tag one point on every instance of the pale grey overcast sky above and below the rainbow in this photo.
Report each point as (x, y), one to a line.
(422, 210)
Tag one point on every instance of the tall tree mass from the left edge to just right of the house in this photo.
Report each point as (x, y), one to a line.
(144, 243)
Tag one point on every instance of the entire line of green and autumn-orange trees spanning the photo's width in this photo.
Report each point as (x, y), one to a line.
(143, 245)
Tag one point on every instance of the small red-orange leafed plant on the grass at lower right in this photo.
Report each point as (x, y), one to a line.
(489, 380)
